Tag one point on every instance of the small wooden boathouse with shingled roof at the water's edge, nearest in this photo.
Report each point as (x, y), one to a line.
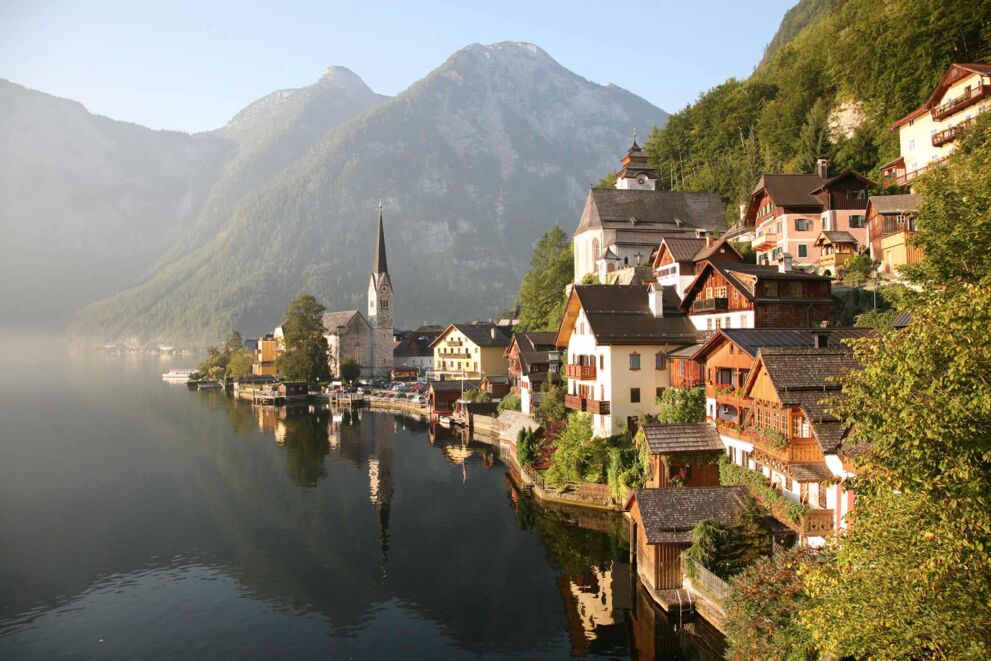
(661, 522)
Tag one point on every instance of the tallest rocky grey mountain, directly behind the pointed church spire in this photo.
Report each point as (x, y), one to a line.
(473, 164)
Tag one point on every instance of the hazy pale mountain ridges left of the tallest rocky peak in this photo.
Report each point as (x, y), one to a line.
(92, 205)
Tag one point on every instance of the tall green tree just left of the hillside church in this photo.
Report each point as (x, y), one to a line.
(541, 297)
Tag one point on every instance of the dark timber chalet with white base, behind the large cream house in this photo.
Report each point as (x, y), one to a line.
(730, 295)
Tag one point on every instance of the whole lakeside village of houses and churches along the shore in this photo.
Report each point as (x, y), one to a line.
(694, 378)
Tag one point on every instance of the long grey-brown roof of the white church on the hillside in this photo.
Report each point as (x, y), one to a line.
(654, 211)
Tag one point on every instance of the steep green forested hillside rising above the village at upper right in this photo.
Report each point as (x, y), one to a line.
(832, 81)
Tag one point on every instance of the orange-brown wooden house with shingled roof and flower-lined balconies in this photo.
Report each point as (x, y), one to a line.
(794, 440)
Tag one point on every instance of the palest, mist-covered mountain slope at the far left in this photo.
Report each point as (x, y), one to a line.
(87, 203)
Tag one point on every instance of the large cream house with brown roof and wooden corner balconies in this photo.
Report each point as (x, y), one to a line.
(617, 339)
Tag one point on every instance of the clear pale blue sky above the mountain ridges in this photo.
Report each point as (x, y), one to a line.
(192, 65)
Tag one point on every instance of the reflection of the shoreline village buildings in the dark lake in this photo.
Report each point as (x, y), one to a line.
(607, 612)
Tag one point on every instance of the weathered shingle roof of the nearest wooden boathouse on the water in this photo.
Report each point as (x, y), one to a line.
(670, 514)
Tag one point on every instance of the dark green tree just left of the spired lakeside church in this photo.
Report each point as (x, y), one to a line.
(305, 357)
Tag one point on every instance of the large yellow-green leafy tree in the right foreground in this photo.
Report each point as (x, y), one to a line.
(912, 577)
